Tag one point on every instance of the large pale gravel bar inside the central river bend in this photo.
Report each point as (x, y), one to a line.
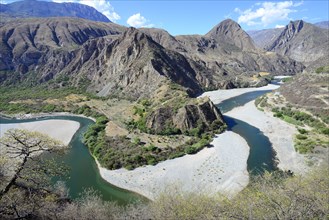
(222, 168)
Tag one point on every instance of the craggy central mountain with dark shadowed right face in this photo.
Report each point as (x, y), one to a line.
(132, 65)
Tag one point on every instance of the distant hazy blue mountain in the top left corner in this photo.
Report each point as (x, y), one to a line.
(33, 8)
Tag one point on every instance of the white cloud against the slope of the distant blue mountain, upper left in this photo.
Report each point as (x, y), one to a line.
(102, 6)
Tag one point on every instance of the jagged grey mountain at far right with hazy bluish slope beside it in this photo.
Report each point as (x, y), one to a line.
(298, 40)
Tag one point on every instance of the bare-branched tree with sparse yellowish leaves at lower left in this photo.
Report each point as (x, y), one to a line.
(27, 175)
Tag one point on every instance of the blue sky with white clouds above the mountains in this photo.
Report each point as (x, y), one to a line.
(198, 17)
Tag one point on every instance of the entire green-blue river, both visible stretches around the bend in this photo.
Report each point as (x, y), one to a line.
(85, 174)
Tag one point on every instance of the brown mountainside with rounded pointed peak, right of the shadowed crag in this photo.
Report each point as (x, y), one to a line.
(226, 56)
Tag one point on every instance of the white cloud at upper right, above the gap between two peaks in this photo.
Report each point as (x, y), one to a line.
(266, 13)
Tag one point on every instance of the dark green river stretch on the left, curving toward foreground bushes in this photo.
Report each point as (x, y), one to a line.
(83, 171)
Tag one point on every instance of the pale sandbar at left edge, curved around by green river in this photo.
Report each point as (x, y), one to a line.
(62, 130)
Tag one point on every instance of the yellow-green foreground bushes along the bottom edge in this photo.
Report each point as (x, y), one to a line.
(270, 196)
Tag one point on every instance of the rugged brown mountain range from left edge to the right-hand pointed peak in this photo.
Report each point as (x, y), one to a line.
(111, 59)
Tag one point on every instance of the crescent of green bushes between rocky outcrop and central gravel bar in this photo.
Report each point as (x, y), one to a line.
(122, 151)
